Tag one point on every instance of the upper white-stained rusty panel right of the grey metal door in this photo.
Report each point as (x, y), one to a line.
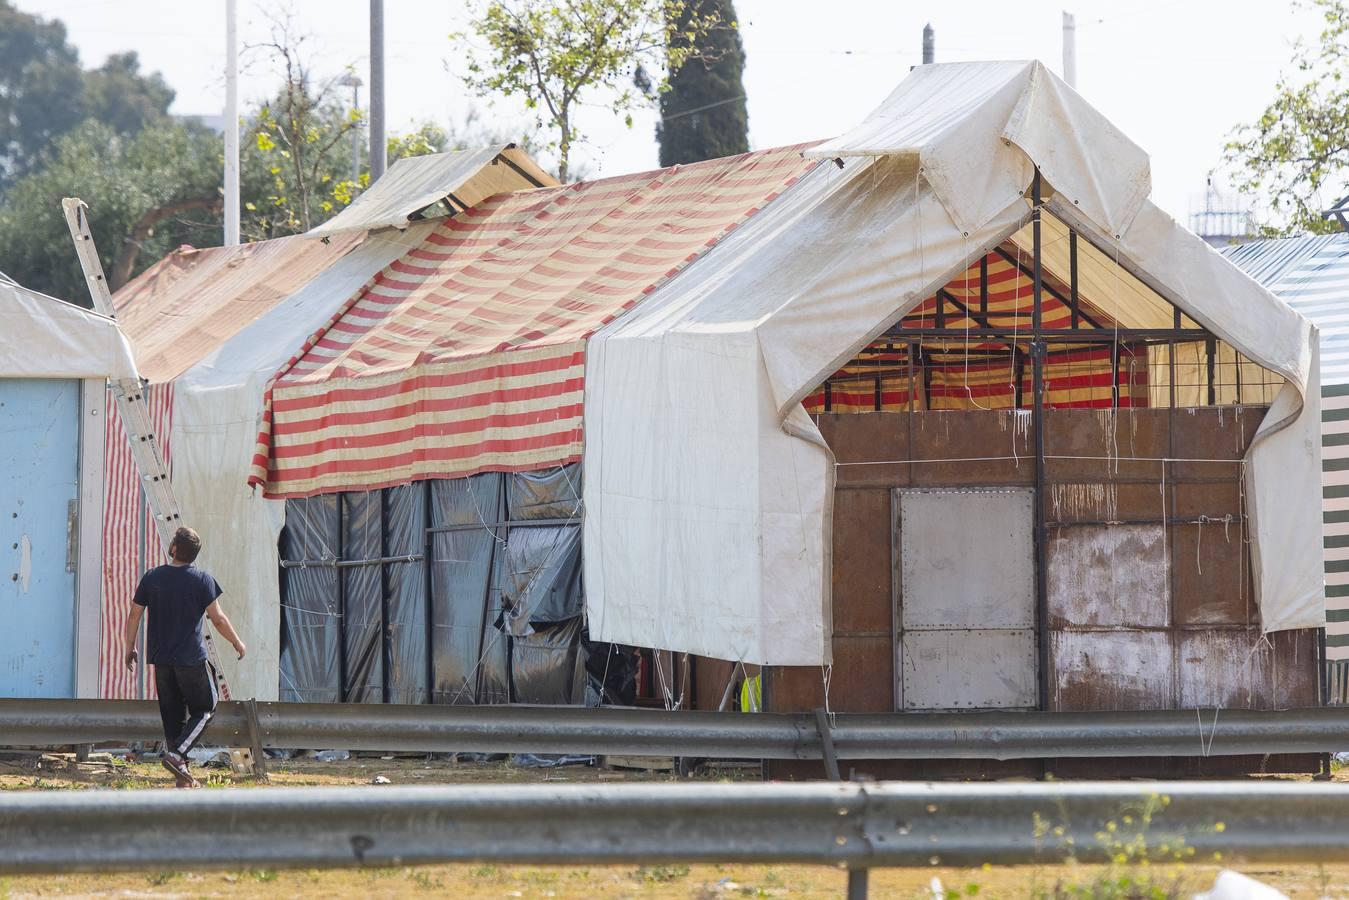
(1108, 577)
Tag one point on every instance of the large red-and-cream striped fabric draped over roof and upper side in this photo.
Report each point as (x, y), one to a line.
(469, 354)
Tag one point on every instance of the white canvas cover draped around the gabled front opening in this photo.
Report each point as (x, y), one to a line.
(708, 524)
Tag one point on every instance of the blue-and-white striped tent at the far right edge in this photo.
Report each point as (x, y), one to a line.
(1312, 275)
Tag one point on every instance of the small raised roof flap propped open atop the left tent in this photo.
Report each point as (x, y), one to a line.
(462, 179)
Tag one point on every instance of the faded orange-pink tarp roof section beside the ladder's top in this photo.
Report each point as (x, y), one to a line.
(192, 302)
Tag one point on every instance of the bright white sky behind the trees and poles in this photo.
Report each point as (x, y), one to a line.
(1177, 76)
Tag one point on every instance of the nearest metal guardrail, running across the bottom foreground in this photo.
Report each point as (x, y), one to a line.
(849, 825)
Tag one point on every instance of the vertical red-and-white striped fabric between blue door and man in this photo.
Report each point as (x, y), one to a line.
(130, 544)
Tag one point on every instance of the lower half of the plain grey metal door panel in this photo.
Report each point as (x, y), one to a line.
(969, 670)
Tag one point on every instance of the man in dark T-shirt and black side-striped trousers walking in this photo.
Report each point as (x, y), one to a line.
(179, 596)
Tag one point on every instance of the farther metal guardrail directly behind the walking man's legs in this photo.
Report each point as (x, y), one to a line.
(764, 736)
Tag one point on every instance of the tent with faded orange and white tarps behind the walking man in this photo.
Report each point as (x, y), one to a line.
(211, 327)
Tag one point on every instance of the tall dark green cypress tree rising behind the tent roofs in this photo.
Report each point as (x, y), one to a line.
(704, 114)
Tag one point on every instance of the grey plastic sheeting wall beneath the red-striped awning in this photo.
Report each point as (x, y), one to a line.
(497, 620)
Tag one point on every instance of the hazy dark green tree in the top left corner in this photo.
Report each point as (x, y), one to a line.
(45, 94)
